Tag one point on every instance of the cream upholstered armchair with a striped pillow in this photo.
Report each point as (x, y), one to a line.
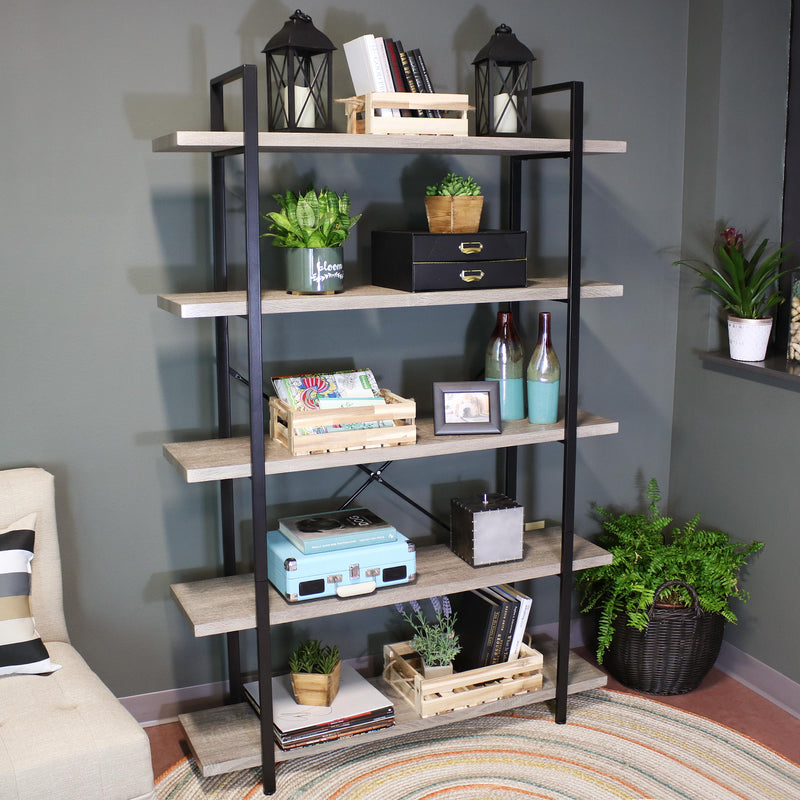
(63, 735)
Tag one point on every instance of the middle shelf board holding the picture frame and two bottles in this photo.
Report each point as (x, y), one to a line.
(221, 459)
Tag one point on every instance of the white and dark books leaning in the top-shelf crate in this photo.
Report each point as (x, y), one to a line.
(380, 64)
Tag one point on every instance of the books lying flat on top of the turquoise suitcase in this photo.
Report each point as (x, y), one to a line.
(336, 530)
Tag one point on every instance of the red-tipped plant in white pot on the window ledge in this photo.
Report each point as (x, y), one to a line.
(747, 287)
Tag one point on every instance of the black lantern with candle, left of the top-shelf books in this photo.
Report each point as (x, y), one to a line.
(299, 77)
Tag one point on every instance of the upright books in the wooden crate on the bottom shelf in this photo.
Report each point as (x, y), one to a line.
(490, 623)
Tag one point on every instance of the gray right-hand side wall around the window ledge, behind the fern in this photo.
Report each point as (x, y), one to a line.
(733, 438)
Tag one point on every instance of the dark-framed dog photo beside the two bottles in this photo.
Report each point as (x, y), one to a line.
(466, 407)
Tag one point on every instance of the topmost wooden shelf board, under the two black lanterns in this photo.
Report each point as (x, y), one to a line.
(222, 141)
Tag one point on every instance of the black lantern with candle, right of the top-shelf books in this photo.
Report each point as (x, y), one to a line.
(504, 86)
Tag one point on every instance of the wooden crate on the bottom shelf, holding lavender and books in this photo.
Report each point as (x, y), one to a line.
(402, 670)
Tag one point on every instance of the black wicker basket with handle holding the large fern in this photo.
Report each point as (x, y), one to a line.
(673, 654)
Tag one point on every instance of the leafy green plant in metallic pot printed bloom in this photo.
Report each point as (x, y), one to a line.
(312, 227)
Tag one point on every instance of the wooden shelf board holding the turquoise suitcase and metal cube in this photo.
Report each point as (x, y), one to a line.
(222, 605)
